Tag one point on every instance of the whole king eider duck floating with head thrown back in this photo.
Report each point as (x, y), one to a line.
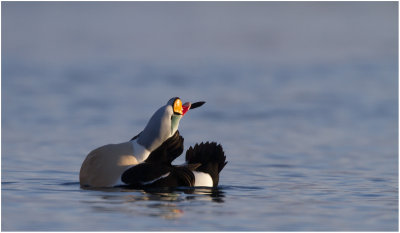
(146, 159)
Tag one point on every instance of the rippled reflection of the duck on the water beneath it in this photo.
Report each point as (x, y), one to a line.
(167, 203)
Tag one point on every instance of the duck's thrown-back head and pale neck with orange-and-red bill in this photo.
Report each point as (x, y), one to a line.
(164, 123)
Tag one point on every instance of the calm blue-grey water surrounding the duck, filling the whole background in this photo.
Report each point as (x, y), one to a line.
(302, 96)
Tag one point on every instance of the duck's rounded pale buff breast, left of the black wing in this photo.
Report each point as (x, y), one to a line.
(104, 166)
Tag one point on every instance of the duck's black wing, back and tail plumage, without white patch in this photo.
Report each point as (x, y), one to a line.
(157, 170)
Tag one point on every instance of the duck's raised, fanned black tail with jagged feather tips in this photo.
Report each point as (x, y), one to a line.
(211, 157)
